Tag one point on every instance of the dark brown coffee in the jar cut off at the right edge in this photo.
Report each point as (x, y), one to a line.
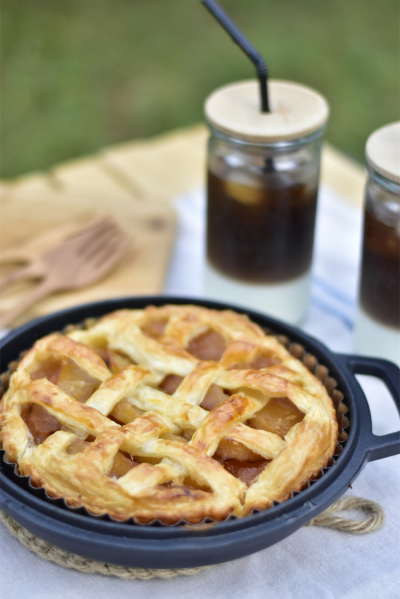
(380, 272)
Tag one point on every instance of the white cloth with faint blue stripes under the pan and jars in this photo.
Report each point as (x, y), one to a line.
(314, 562)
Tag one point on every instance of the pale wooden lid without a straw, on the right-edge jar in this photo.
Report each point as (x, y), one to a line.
(383, 151)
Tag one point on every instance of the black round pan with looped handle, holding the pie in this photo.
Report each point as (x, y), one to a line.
(186, 546)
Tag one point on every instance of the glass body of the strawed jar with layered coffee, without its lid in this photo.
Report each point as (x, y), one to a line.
(261, 207)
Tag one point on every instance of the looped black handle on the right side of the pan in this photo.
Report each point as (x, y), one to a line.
(379, 446)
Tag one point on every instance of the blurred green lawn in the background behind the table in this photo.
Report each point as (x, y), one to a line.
(80, 75)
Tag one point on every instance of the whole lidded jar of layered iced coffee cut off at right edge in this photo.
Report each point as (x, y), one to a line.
(377, 330)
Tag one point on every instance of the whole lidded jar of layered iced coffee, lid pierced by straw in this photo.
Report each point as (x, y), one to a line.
(263, 174)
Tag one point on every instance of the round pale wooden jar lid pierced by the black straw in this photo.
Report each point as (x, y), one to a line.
(296, 111)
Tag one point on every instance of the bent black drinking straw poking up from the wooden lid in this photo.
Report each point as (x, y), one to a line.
(244, 44)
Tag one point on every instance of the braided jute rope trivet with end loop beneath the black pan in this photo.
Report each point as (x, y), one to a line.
(374, 518)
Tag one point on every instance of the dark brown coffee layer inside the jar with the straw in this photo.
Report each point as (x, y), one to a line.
(260, 235)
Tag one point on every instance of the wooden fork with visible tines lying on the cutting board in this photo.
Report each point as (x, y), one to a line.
(79, 261)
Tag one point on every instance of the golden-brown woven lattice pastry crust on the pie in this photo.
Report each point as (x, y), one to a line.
(172, 436)
